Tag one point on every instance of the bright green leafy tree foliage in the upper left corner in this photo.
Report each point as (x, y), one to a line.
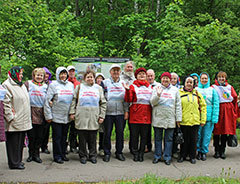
(32, 36)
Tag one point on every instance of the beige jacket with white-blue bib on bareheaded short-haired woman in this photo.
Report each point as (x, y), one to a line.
(86, 112)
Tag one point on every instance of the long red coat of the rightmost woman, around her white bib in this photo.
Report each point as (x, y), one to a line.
(228, 114)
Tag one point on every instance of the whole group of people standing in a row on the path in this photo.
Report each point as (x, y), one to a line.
(98, 104)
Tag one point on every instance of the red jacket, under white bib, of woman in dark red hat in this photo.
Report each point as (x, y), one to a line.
(138, 113)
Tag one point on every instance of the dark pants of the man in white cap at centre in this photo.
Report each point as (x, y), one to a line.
(119, 129)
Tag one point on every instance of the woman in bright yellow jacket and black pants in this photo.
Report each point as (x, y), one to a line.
(193, 115)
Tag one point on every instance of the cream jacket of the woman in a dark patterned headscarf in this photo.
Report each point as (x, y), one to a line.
(17, 111)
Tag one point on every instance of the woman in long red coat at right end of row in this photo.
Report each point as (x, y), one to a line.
(227, 115)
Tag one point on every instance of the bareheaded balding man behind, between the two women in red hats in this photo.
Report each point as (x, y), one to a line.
(152, 82)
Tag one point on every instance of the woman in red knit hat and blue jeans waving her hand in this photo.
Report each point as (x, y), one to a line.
(167, 110)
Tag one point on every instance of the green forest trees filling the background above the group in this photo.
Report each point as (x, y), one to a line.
(182, 36)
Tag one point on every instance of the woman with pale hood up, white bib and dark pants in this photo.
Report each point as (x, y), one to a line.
(56, 111)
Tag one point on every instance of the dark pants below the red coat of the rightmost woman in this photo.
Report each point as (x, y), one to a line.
(219, 142)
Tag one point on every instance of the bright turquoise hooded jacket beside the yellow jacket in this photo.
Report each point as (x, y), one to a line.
(212, 100)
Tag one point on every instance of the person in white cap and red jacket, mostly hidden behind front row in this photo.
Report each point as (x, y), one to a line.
(73, 132)
